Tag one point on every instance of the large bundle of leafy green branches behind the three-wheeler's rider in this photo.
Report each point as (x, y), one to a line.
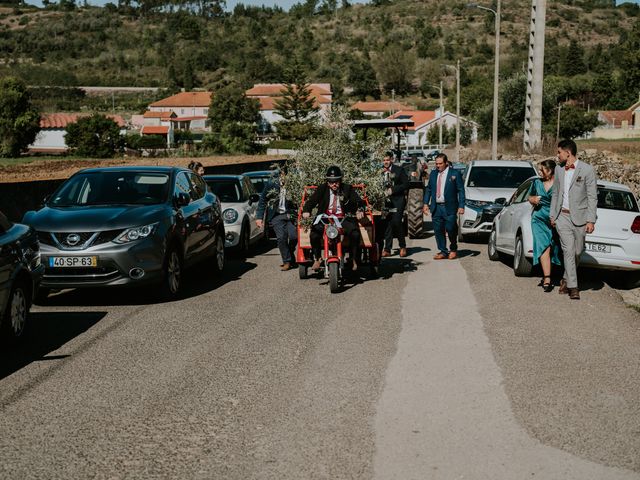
(359, 160)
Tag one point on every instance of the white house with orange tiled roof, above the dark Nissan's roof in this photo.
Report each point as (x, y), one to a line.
(191, 111)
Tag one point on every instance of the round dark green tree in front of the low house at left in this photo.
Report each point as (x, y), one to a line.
(96, 136)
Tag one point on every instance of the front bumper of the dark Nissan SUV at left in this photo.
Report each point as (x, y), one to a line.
(133, 264)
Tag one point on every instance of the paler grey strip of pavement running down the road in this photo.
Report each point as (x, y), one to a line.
(443, 413)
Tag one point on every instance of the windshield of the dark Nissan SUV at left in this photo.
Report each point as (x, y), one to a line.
(112, 188)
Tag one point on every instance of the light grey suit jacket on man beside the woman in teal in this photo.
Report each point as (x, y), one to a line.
(583, 194)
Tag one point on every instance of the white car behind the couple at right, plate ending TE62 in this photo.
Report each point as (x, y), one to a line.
(614, 244)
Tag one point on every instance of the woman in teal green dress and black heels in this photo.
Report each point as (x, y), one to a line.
(546, 249)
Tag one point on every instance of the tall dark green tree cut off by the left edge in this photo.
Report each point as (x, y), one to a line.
(19, 120)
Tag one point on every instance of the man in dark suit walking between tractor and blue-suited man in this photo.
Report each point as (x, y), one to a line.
(396, 184)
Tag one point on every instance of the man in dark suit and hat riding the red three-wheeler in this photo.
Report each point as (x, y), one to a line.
(335, 198)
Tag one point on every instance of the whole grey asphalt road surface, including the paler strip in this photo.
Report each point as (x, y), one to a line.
(451, 369)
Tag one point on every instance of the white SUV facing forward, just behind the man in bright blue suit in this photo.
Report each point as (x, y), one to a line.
(487, 185)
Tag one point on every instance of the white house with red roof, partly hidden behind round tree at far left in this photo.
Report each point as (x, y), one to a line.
(53, 129)
